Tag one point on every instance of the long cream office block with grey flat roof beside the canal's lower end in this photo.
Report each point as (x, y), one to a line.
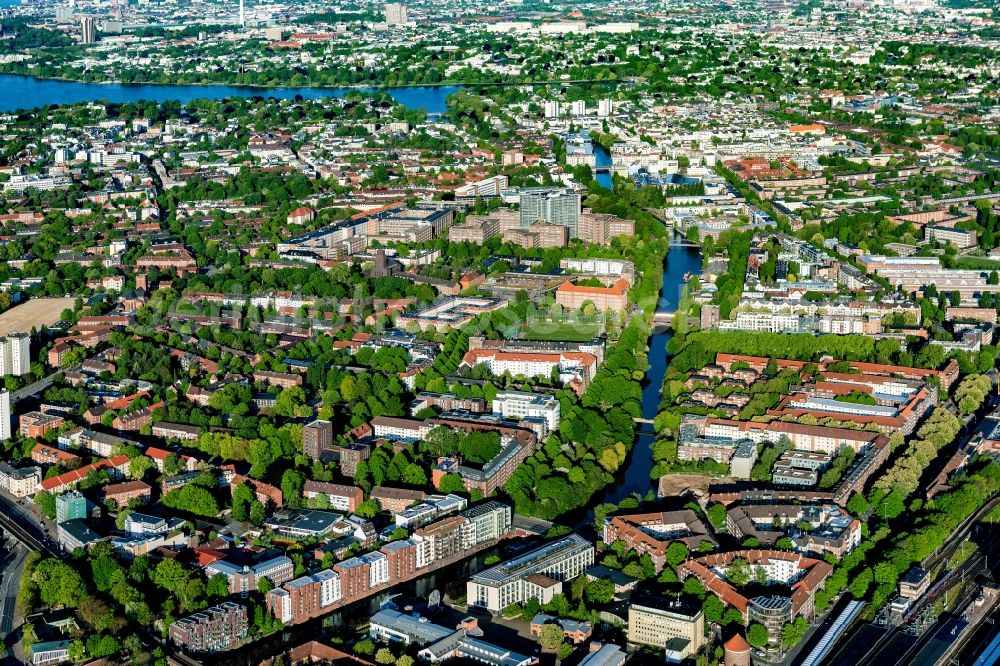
(537, 574)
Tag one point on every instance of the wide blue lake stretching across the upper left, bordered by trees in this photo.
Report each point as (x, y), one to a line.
(25, 92)
